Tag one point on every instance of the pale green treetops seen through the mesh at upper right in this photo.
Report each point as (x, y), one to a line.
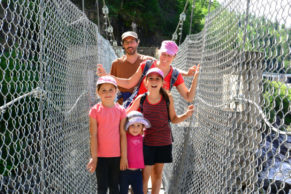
(260, 36)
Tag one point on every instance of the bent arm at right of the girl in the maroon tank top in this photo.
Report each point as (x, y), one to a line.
(178, 118)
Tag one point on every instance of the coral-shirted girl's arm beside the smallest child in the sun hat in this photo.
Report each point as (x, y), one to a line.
(123, 146)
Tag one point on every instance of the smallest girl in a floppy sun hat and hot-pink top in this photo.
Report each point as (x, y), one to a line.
(135, 125)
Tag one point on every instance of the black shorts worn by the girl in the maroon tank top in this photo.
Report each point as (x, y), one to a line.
(157, 154)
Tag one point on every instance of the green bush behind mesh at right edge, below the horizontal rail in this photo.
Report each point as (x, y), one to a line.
(277, 101)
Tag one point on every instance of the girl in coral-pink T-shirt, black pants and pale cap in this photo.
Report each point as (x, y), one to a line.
(107, 137)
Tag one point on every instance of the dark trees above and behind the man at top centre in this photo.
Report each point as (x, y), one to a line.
(156, 20)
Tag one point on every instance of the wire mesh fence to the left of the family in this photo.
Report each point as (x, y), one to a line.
(48, 56)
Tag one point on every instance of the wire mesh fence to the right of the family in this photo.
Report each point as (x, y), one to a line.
(239, 139)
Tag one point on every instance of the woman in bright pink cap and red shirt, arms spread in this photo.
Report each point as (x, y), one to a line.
(168, 52)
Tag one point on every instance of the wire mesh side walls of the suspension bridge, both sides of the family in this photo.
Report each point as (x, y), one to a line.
(238, 140)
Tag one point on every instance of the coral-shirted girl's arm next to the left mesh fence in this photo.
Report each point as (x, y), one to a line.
(91, 166)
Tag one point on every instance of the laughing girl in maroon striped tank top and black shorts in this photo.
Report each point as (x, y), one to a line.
(157, 139)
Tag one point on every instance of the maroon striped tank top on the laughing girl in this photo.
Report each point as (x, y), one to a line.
(160, 132)
